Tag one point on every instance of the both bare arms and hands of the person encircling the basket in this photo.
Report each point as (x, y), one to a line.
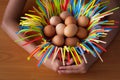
(11, 21)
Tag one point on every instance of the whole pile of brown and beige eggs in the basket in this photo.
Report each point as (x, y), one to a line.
(66, 30)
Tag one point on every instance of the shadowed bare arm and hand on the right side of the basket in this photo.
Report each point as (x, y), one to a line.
(83, 68)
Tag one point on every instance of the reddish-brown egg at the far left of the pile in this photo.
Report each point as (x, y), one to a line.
(49, 31)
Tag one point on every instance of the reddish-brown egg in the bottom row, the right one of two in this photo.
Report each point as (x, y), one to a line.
(71, 41)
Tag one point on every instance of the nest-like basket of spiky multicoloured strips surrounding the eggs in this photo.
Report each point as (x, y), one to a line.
(33, 23)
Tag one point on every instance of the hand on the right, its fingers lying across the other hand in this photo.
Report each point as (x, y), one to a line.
(81, 68)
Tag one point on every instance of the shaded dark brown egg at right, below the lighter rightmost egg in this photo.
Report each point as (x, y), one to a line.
(82, 33)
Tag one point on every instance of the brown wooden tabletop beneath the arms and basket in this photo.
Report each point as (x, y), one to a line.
(14, 66)
